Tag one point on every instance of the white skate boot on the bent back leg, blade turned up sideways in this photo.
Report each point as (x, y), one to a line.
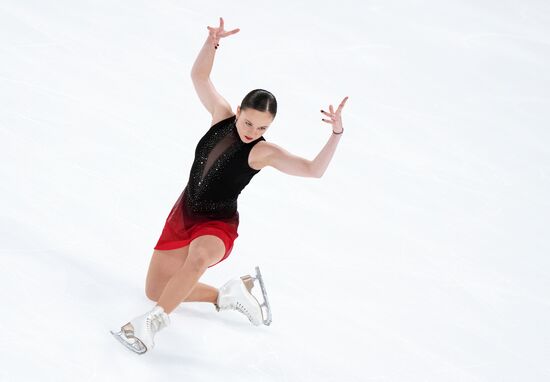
(236, 294)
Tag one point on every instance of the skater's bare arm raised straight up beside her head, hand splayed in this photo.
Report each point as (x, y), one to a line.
(216, 105)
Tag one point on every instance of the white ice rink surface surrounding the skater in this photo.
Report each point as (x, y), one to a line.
(422, 254)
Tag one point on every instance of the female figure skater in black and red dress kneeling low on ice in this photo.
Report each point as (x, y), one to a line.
(202, 226)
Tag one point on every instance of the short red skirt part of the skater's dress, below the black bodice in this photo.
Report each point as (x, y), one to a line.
(181, 228)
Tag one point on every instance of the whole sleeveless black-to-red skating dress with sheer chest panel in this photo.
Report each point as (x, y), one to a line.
(208, 204)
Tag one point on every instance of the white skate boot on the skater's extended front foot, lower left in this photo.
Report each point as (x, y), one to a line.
(137, 335)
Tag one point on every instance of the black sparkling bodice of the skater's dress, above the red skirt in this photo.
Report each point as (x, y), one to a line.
(219, 172)
